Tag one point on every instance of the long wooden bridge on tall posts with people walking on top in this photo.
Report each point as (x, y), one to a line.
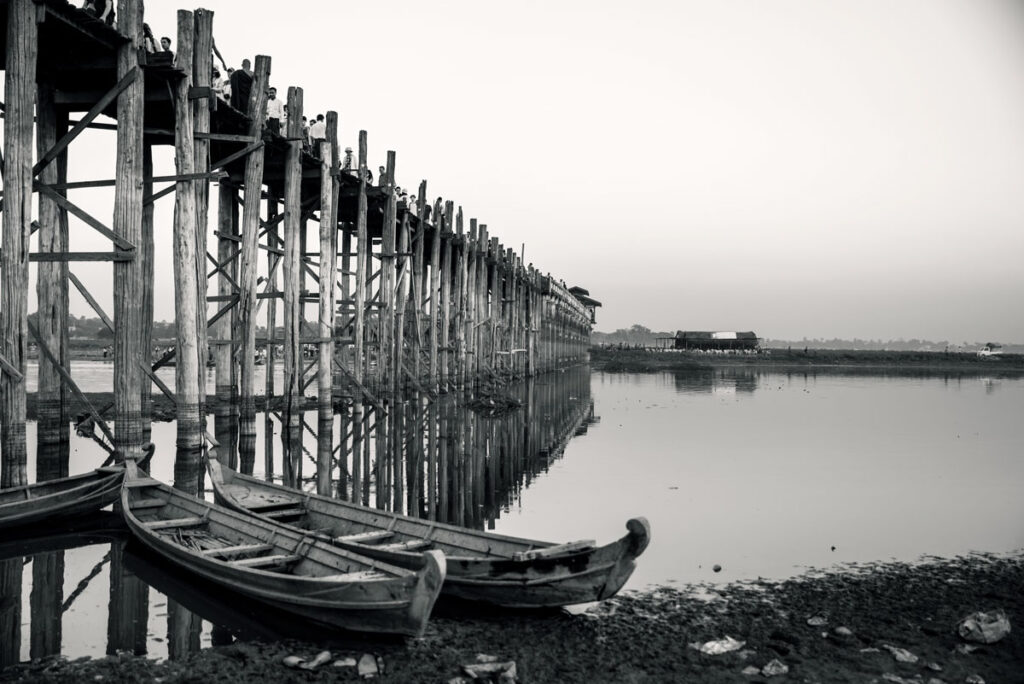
(402, 302)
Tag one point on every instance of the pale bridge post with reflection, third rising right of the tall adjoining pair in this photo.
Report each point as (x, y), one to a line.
(325, 370)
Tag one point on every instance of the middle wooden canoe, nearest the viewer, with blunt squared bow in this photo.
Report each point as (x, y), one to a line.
(289, 570)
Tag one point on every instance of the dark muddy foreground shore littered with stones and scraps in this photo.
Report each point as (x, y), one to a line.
(650, 637)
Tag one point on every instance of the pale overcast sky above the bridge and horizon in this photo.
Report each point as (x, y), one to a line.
(800, 168)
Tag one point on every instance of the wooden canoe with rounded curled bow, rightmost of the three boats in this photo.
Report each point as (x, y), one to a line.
(482, 567)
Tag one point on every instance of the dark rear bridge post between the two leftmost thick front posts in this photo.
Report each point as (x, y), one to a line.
(52, 292)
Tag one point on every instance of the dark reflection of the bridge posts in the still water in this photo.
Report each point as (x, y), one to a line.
(434, 459)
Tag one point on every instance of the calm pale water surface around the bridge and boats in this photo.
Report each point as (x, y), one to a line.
(762, 474)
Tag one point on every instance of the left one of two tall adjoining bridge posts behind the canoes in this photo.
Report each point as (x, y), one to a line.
(188, 370)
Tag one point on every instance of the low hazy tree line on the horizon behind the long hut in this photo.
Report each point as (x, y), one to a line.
(641, 335)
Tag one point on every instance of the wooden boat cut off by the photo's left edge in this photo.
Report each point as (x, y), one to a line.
(65, 498)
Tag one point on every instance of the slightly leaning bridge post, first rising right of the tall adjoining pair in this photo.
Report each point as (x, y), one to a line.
(245, 334)
